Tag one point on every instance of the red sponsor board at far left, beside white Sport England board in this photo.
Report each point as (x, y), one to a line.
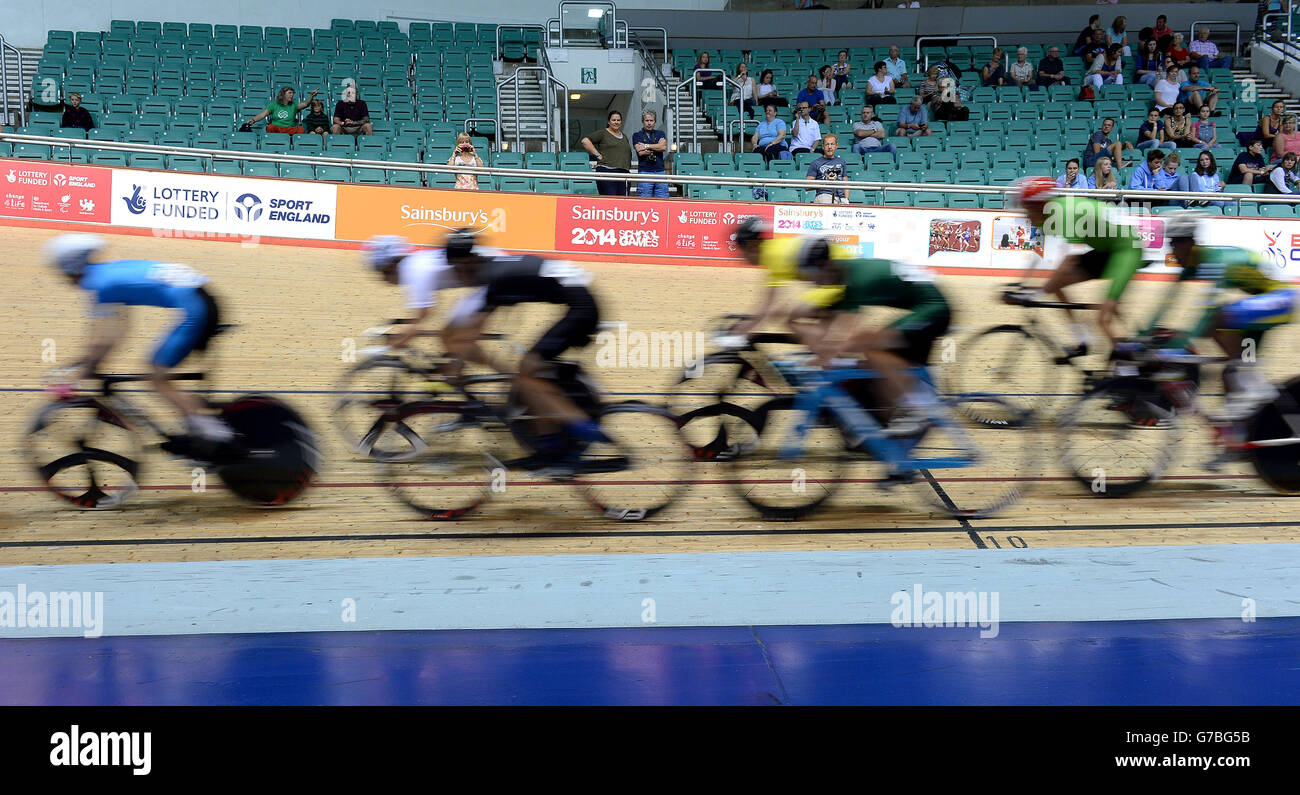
(53, 192)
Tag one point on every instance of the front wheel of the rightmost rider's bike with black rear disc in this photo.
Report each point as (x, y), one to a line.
(1119, 438)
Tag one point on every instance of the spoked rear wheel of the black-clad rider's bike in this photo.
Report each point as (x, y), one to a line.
(653, 459)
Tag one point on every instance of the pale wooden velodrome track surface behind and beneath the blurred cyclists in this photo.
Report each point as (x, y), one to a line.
(297, 306)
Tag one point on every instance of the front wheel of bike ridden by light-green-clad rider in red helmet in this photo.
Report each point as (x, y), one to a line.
(1008, 363)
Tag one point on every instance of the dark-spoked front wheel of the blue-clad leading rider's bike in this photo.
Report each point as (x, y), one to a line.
(86, 454)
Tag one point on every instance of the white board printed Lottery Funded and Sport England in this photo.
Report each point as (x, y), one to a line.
(228, 206)
